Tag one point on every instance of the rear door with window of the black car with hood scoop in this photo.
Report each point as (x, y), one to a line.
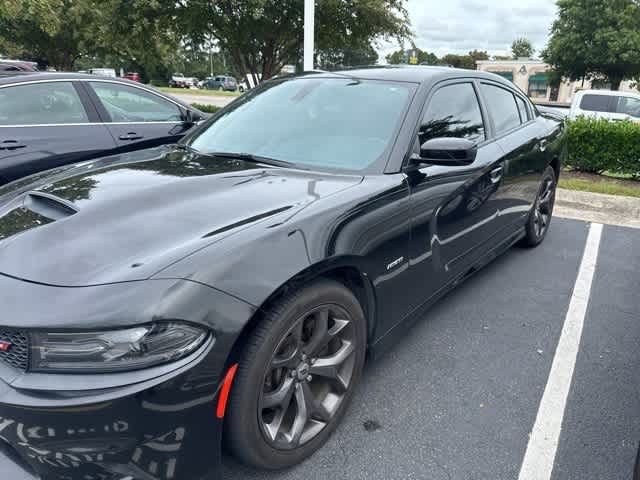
(523, 141)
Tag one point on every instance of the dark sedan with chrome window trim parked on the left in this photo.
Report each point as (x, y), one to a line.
(53, 119)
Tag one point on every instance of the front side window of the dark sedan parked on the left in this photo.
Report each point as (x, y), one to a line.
(130, 104)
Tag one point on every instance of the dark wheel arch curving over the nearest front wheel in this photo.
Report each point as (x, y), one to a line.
(345, 270)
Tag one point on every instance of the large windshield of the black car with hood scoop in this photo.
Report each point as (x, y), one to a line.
(326, 123)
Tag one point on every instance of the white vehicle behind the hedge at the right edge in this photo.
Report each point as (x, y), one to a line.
(607, 104)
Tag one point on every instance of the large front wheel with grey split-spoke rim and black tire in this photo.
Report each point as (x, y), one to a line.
(296, 376)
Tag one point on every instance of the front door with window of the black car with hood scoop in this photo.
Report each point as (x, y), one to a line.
(454, 208)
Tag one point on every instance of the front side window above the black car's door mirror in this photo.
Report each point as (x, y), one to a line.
(453, 111)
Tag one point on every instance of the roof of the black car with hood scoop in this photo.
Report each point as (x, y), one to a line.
(415, 74)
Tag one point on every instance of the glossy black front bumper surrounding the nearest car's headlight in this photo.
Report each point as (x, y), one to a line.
(158, 423)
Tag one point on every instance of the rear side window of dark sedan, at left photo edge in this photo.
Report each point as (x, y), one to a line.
(41, 103)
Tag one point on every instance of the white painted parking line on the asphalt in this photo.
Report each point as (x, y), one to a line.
(543, 441)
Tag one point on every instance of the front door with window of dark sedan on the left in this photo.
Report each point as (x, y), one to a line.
(137, 118)
